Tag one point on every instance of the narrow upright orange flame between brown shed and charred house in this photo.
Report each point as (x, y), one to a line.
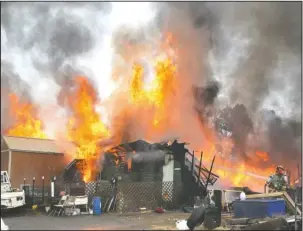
(85, 127)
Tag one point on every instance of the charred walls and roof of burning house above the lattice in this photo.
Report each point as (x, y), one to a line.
(141, 161)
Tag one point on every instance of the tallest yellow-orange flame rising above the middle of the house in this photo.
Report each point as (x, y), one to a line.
(151, 101)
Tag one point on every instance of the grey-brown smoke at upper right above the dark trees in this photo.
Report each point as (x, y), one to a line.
(267, 40)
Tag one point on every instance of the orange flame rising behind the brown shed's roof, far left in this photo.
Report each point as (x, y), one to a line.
(26, 123)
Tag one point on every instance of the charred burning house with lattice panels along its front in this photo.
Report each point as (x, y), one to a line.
(160, 172)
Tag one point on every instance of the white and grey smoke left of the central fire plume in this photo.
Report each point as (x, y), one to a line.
(40, 39)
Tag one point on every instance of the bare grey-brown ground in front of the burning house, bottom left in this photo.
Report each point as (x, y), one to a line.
(135, 221)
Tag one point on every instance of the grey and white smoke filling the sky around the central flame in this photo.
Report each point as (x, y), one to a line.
(245, 57)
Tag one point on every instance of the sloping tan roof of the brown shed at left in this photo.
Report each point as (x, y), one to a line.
(33, 145)
